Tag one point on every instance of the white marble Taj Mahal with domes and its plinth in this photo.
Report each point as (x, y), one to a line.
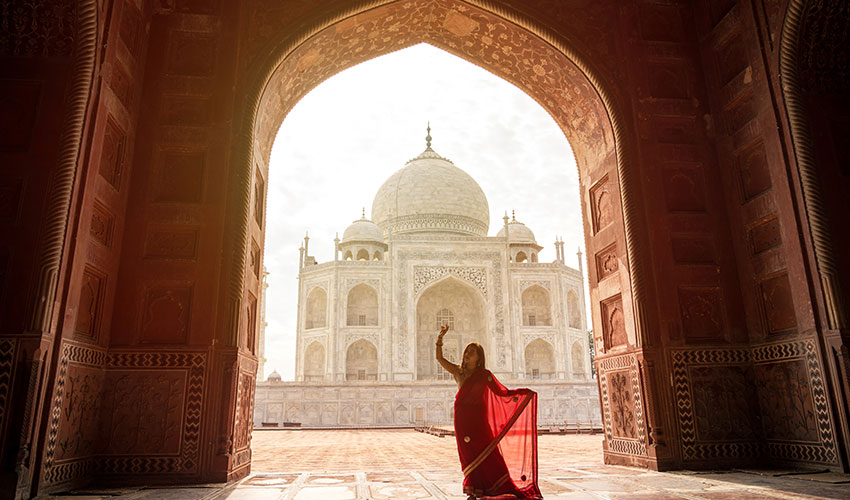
(368, 319)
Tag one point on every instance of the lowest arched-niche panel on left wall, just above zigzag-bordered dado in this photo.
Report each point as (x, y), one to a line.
(165, 315)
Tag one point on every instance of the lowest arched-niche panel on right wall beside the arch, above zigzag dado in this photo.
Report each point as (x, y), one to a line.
(702, 313)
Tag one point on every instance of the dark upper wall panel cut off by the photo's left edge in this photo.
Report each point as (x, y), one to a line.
(19, 101)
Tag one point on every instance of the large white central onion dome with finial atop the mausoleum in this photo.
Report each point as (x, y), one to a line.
(431, 195)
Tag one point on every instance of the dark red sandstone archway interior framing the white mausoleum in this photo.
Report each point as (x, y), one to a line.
(134, 152)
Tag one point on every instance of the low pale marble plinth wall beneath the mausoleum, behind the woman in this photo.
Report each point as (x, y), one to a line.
(386, 404)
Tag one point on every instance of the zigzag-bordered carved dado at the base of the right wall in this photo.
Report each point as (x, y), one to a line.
(780, 383)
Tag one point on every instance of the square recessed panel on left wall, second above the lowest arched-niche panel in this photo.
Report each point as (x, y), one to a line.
(181, 177)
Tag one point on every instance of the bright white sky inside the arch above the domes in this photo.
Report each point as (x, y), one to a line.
(349, 134)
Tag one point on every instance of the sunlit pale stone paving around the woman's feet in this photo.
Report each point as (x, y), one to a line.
(403, 464)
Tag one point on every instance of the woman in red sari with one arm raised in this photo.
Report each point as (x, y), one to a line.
(495, 428)
